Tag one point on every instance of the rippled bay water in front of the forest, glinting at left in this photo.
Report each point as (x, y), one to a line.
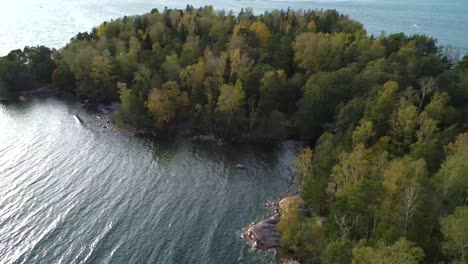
(70, 193)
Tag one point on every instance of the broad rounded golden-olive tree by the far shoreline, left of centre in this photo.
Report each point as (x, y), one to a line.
(165, 103)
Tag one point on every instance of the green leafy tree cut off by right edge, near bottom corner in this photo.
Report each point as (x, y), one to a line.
(455, 229)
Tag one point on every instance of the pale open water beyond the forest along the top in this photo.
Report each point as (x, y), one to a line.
(54, 22)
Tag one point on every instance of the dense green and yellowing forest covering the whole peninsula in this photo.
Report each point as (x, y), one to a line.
(386, 174)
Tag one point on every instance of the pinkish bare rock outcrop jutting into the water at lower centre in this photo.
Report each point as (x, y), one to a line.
(263, 235)
